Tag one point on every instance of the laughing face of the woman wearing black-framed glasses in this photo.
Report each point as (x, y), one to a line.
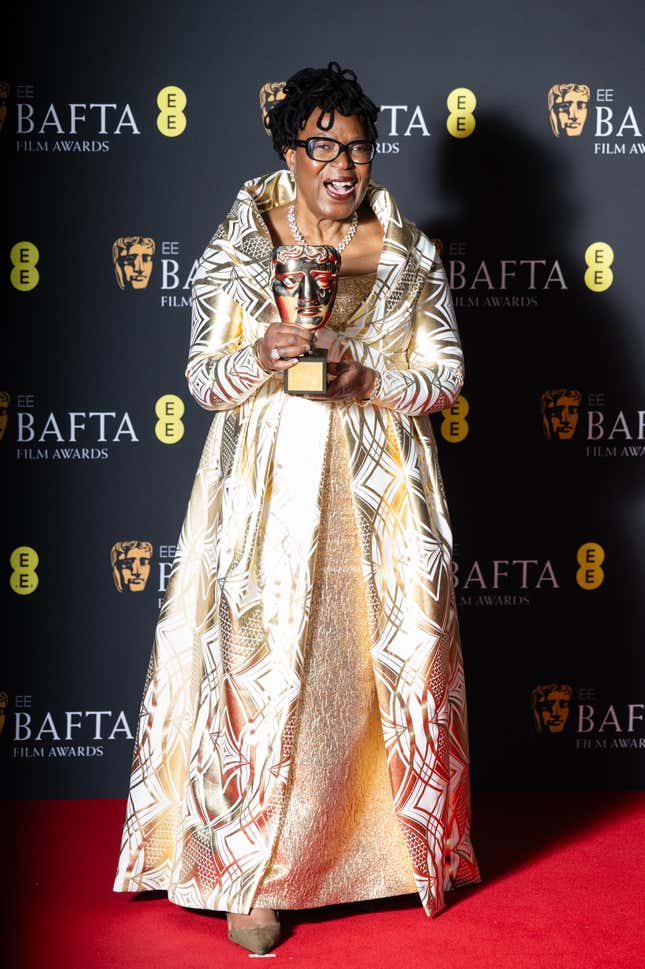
(334, 189)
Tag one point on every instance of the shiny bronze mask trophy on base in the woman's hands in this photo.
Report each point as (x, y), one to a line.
(304, 282)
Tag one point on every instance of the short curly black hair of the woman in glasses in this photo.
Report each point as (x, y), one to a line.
(331, 89)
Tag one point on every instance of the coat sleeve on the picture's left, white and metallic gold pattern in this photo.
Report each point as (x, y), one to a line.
(222, 367)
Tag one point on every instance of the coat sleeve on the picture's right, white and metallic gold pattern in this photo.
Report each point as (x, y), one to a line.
(435, 371)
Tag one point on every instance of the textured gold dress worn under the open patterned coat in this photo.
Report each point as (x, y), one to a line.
(340, 839)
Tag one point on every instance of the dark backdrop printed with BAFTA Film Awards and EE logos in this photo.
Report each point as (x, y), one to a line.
(520, 143)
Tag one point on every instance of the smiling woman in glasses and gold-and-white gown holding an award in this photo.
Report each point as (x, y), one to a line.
(303, 736)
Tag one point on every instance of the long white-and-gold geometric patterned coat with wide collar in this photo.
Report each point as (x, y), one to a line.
(215, 735)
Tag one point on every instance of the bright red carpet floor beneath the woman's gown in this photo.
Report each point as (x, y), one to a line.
(563, 888)
